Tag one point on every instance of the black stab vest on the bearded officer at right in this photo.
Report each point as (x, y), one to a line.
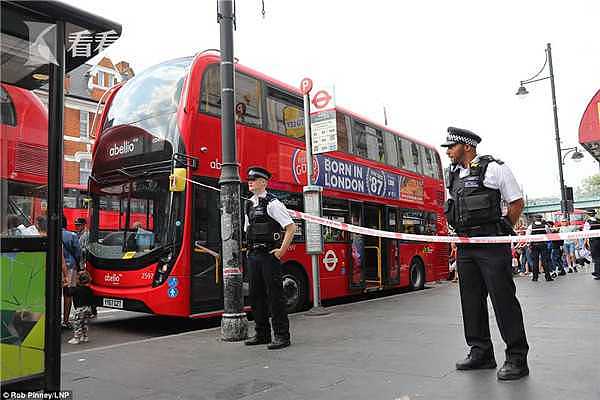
(477, 209)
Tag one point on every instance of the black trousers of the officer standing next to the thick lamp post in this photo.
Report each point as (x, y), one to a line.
(266, 294)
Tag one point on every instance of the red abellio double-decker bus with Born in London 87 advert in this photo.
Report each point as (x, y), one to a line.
(169, 116)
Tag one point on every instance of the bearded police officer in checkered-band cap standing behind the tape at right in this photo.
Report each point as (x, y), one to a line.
(476, 186)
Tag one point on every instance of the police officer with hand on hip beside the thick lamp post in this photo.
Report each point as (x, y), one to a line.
(265, 217)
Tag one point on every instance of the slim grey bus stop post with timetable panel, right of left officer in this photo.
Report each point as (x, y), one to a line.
(312, 190)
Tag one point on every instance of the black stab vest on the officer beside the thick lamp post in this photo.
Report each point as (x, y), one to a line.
(262, 229)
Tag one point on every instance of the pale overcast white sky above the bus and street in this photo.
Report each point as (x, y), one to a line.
(432, 64)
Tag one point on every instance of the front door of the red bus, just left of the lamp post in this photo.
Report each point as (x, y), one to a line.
(205, 264)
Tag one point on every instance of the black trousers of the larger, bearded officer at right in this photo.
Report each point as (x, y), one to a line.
(487, 269)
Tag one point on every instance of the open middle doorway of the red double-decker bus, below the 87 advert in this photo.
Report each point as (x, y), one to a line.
(373, 216)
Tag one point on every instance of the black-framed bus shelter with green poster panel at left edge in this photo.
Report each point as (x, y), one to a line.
(41, 41)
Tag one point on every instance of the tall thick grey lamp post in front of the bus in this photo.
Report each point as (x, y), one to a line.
(234, 324)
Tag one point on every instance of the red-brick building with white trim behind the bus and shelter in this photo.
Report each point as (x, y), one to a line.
(84, 87)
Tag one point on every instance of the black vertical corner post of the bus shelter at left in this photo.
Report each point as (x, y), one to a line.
(52, 335)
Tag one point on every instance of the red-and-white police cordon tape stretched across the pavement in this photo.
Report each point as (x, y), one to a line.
(444, 239)
